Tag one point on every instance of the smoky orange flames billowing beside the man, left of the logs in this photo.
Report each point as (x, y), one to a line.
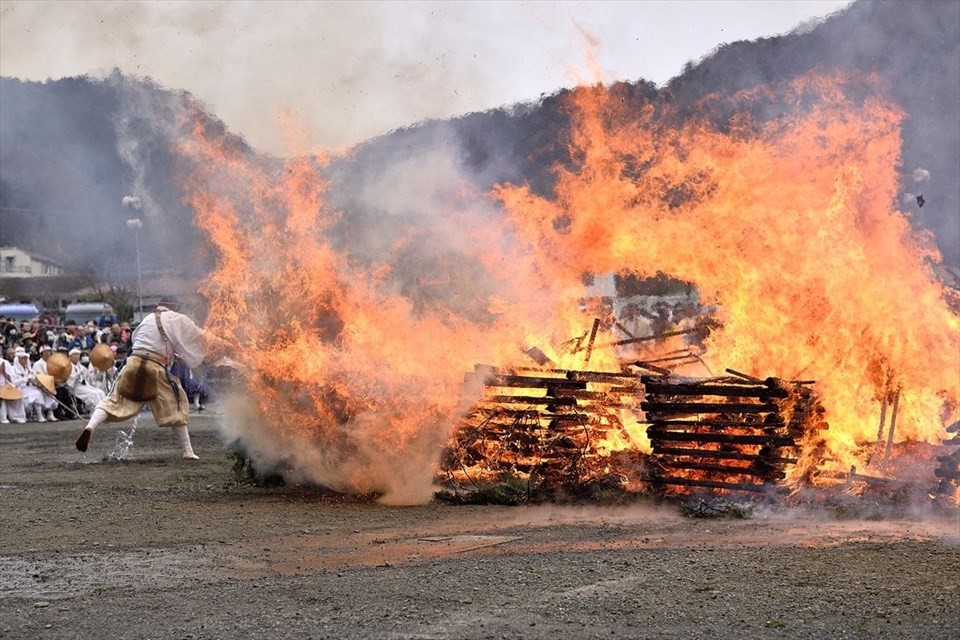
(356, 342)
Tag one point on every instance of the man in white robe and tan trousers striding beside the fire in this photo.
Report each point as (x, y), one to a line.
(146, 378)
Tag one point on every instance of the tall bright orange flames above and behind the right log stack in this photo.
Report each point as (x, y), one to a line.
(788, 226)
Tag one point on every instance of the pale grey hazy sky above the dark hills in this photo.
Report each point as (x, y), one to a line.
(360, 69)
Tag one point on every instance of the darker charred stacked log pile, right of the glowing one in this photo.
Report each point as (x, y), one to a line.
(736, 433)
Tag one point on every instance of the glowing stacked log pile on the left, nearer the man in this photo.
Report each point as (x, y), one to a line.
(550, 423)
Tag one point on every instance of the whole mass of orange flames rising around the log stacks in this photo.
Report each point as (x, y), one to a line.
(779, 206)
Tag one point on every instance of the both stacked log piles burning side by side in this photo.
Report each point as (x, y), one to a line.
(559, 426)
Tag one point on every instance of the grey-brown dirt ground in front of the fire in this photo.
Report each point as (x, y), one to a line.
(156, 547)
